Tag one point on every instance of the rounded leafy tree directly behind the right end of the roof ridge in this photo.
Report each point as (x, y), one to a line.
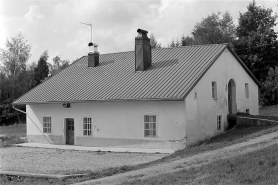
(215, 30)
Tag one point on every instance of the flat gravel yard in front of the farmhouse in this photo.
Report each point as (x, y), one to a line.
(57, 161)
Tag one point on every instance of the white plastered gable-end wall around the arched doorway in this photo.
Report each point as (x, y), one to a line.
(201, 113)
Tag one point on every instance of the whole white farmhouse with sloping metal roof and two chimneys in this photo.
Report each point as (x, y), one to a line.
(149, 98)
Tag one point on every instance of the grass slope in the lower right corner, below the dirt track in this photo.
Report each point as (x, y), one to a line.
(259, 168)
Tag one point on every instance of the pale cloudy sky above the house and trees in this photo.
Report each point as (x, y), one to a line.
(54, 25)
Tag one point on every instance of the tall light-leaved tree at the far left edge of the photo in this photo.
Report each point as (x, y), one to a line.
(12, 74)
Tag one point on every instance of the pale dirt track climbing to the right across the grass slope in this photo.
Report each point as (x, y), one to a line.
(193, 161)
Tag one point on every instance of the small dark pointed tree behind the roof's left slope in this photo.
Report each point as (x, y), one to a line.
(41, 71)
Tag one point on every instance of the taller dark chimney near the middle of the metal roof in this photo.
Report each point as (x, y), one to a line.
(143, 53)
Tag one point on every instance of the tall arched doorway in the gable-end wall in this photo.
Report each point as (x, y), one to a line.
(232, 97)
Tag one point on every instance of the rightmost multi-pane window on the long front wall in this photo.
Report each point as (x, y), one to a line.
(150, 125)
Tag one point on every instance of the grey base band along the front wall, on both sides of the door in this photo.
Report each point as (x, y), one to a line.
(109, 142)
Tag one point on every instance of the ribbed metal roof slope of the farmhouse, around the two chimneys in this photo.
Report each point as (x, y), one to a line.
(174, 72)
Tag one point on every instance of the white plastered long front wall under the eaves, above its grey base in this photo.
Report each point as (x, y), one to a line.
(115, 120)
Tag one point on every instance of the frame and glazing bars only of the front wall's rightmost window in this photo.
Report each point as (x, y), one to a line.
(151, 128)
